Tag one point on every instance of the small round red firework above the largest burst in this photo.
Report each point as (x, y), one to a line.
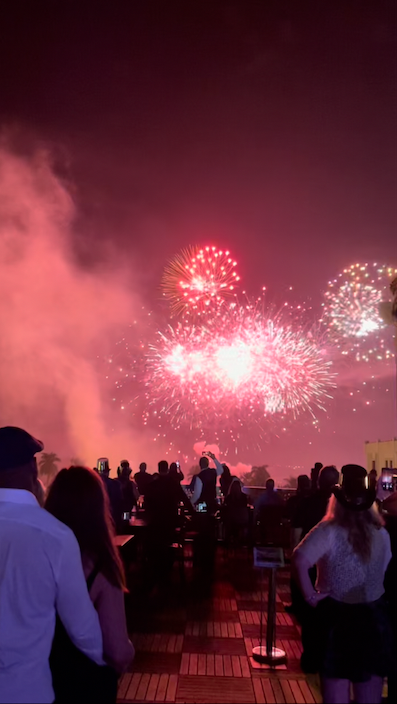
(198, 280)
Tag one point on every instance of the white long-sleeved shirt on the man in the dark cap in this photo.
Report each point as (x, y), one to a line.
(40, 575)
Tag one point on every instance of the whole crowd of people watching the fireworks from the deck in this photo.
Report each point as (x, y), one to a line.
(63, 633)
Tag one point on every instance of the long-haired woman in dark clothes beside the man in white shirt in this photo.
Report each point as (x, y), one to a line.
(78, 498)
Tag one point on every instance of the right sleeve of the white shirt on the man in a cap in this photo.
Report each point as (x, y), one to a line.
(73, 603)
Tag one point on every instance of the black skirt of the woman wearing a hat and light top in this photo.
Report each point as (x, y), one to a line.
(355, 641)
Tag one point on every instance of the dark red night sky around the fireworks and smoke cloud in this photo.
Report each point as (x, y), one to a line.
(264, 127)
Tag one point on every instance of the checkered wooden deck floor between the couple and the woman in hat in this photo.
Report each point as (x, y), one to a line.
(194, 643)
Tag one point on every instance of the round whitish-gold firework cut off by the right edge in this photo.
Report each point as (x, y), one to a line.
(351, 311)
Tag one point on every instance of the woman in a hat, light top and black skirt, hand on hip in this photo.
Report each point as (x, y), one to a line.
(351, 550)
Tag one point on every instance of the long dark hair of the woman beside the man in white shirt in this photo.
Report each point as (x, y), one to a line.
(78, 498)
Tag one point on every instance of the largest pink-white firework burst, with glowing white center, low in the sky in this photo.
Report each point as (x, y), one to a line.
(239, 364)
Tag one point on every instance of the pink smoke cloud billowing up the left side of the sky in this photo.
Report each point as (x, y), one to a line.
(56, 317)
